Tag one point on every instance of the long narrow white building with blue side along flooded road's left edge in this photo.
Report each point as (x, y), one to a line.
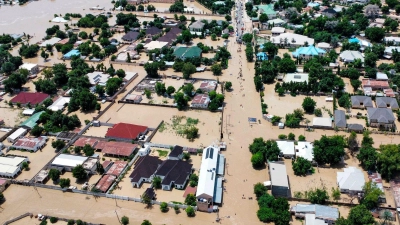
(209, 188)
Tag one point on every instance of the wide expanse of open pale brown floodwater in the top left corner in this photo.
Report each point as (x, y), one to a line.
(33, 18)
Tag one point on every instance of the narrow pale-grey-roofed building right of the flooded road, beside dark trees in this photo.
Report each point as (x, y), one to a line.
(279, 179)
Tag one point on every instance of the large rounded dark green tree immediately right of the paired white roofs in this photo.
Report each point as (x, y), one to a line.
(329, 149)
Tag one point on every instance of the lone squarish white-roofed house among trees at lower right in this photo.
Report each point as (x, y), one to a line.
(351, 180)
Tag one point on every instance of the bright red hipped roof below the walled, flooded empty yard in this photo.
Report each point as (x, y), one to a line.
(126, 131)
